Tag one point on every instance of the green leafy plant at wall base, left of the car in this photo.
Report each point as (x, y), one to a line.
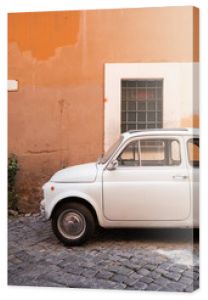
(13, 168)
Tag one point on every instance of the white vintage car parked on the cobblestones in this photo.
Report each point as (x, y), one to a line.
(146, 179)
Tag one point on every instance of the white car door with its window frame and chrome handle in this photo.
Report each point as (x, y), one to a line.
(150, 182)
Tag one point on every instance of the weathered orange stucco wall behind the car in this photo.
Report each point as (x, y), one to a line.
(56, 116)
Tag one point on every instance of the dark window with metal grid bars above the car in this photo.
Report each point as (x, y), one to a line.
(141, 104)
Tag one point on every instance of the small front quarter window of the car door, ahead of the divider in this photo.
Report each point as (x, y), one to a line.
(129, 156)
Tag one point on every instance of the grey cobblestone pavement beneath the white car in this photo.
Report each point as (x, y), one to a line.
(114, 259)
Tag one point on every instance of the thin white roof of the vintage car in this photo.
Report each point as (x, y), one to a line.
(162, 131)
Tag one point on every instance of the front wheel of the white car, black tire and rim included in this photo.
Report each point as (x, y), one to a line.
(73, 223)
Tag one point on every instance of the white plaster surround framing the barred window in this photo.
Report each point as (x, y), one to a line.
(180, 92)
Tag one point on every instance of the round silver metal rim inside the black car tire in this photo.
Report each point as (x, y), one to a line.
(71, 224)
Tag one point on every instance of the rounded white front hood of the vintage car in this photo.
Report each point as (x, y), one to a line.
(79, 173)
